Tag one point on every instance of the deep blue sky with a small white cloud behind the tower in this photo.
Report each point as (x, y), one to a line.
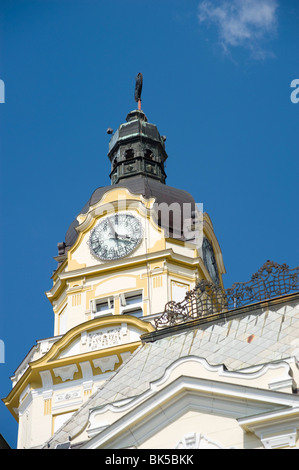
(217, 78)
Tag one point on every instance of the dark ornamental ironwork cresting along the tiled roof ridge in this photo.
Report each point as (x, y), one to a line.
(207, 298)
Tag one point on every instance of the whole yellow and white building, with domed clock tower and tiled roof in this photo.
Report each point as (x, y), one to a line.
(208, 383)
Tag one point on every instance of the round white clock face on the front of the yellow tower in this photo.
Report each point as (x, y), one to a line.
(115, 236)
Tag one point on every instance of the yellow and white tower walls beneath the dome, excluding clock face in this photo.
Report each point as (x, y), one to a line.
(91, 299)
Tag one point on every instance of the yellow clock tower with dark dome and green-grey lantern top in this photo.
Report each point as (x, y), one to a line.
(136, 245)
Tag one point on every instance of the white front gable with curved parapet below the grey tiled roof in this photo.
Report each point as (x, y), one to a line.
(190, 390)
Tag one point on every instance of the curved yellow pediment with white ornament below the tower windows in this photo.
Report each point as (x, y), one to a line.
(91, 348)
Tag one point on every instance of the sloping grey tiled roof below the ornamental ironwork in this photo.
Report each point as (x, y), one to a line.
(240, 340)
